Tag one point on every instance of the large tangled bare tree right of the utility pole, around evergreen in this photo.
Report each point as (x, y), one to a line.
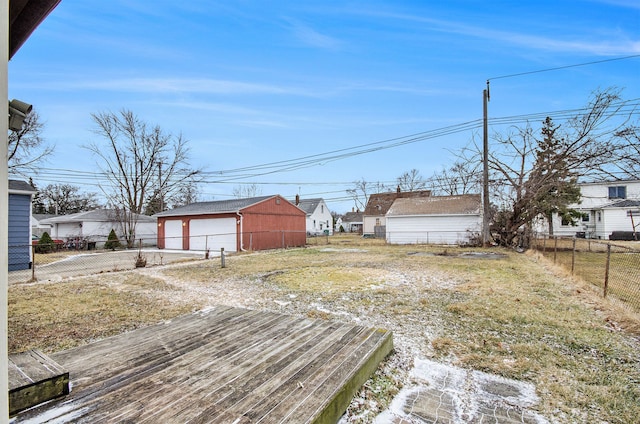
(537, 177)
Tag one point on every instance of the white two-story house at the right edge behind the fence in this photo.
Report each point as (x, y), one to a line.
(607, 207)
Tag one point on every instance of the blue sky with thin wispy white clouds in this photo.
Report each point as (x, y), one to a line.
(253, 82)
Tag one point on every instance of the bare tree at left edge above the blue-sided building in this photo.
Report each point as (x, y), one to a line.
(26, 148)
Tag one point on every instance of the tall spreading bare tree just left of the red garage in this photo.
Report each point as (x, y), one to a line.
(136, 159)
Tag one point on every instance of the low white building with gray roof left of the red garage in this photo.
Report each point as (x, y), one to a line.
(95, 226)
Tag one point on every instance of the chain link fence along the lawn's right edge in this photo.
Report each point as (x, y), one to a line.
(613, 267)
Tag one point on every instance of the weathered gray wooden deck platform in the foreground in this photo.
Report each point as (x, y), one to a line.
(223, 365)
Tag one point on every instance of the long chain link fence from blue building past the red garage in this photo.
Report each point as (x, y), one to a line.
(75, 256)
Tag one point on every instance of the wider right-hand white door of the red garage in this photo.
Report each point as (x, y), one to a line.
(213, 234)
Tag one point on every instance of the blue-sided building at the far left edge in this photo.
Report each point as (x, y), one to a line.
(19, 230)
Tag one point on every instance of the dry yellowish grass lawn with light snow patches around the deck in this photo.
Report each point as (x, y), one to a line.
(510, 314)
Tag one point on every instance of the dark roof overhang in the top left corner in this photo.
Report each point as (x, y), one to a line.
(24, 18)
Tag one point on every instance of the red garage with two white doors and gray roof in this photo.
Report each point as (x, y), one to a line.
(256, 223)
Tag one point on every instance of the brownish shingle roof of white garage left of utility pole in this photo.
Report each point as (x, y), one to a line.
(466, 204)
